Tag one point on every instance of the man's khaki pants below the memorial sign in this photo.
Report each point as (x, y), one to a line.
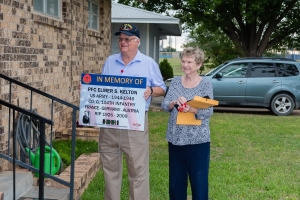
(135, 145)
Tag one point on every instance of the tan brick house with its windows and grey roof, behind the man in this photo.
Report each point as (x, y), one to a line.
(48, 44)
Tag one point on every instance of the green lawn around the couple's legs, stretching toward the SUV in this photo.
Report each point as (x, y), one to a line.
(252, 157)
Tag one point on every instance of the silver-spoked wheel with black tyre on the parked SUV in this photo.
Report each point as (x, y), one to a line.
(282, 105)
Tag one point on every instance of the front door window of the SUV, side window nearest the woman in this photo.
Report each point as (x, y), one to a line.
(235, 70)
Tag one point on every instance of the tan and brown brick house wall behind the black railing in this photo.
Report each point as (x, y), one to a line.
(49, 54)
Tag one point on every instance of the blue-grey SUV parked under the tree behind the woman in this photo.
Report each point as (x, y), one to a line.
(273, 83)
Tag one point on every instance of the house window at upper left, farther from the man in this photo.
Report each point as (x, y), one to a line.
(48, 7)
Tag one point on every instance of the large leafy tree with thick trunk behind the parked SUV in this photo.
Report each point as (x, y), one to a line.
(252, 26)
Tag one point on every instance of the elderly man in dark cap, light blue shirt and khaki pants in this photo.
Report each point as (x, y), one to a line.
(113, 143)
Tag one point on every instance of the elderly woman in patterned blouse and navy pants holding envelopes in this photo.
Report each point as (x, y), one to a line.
(189, 145)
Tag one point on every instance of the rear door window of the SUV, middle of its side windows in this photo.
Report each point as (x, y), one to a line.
(263, 70)
